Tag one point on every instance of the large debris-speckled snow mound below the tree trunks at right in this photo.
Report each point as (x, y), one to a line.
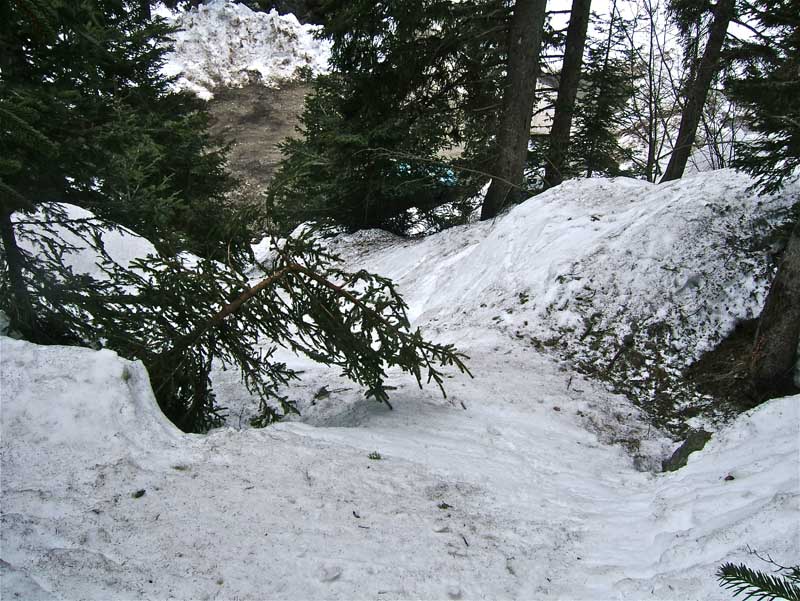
(628, 280)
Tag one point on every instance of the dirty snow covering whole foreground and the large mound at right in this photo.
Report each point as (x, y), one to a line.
(528, 481)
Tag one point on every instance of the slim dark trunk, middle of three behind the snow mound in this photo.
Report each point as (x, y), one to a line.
(567, 91)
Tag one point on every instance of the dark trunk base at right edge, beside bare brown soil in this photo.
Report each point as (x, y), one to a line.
(775, 347)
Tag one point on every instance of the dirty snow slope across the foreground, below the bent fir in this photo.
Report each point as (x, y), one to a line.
(512, 498)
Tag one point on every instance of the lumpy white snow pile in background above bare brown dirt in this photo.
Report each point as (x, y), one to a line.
(224, 43)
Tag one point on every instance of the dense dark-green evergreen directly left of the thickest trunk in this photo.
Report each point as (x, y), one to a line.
(411, 81)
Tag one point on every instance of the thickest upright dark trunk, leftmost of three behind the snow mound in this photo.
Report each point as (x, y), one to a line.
(513, 135)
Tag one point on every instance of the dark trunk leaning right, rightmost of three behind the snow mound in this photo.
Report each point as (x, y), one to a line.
(698, 90)
